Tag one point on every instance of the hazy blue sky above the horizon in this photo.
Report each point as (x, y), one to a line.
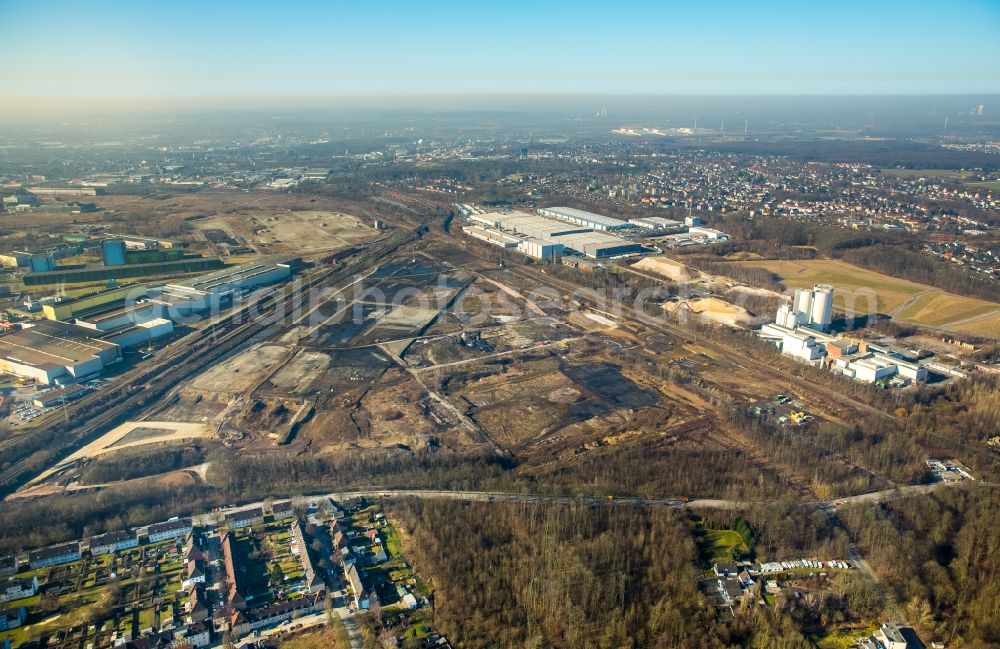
(282, 51)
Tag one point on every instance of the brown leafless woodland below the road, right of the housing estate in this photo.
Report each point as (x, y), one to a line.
(511, 576)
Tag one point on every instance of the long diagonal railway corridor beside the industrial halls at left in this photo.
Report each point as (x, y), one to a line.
(143, 386)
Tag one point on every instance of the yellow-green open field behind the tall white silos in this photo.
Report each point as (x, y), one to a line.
(904, 300)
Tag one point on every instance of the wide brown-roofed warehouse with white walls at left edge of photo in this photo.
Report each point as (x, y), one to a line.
(49, 349)
